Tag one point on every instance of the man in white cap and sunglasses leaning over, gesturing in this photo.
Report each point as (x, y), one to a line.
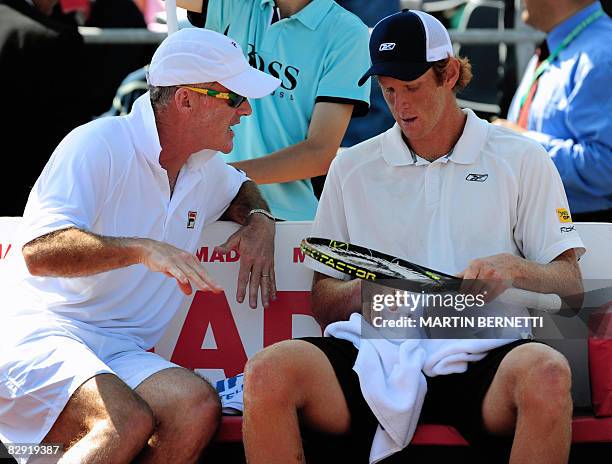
(107, 241)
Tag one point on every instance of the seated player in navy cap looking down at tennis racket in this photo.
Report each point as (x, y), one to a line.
(459, 195)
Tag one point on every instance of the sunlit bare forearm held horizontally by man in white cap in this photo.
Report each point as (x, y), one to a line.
(76, 253)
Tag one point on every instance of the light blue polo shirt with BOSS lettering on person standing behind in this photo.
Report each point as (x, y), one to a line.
(319, 54)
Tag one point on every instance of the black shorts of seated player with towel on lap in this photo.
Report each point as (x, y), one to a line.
(454, 399)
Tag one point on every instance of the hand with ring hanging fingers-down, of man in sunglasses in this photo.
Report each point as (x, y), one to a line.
(255, 243)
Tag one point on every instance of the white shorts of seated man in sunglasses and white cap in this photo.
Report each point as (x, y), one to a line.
(42, 363)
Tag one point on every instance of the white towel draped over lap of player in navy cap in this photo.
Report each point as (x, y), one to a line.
(391, 376)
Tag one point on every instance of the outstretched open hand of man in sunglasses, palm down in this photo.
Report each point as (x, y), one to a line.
(179, 264)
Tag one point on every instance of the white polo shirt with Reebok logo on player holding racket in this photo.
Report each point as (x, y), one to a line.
(498, 192)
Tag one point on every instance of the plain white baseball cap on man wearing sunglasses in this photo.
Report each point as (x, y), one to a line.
(193, 55)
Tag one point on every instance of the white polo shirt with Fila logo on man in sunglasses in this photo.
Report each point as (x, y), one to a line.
(105, 177)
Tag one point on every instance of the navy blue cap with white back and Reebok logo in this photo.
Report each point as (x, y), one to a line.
(400, 46)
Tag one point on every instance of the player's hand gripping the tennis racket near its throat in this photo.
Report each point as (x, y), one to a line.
(491, 276)
